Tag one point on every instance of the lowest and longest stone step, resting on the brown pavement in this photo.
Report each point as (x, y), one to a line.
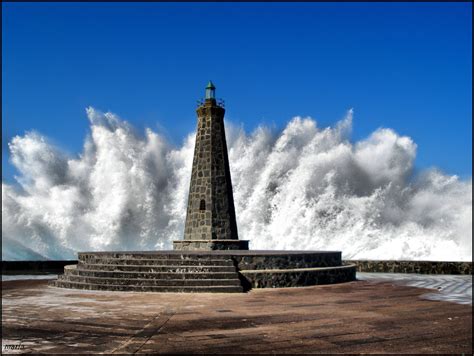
(147, 288)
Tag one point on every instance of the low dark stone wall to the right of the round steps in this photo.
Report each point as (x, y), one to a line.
(422, 267)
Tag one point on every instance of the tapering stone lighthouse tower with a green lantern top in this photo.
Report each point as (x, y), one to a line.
(210, 216)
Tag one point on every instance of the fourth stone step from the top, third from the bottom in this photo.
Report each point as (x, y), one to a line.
(150, 275)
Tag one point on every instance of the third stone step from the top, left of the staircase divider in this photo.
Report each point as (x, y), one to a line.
(155, 268)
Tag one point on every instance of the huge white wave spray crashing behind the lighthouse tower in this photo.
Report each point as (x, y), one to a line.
(304, 188)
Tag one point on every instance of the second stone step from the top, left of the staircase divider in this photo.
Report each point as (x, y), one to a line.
(160, 261)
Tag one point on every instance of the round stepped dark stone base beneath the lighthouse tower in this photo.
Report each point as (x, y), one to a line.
(203, 271)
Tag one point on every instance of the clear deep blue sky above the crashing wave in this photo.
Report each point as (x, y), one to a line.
(406, 66)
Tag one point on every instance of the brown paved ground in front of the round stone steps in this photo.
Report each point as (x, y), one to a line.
(374, 315)
